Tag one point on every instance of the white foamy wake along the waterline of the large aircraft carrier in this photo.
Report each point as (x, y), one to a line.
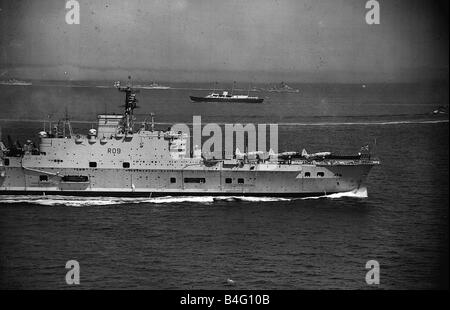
(74, 201)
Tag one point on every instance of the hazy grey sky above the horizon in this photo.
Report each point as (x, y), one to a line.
(218, 40)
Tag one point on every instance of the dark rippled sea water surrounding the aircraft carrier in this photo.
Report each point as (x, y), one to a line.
(200, 242)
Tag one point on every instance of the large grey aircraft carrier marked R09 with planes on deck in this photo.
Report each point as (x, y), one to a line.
(118, 160)
